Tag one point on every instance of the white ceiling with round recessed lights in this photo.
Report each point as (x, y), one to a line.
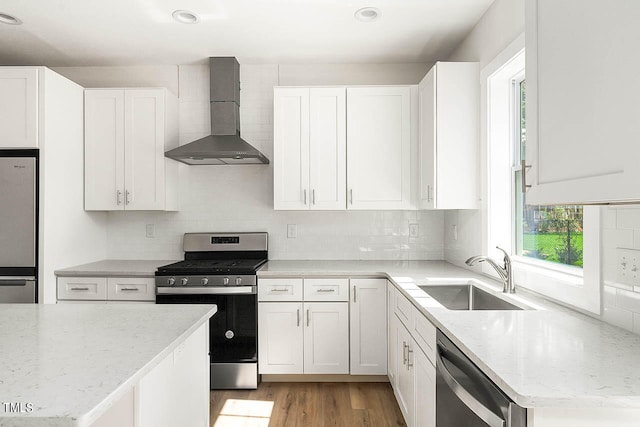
(136, 32)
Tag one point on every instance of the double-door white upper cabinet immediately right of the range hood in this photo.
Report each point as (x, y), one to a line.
(309, 148)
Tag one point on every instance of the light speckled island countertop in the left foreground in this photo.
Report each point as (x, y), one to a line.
(72, 362)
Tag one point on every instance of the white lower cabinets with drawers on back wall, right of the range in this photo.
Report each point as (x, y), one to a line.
(322, 326)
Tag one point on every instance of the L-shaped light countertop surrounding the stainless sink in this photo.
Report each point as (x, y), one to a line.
(547, 357)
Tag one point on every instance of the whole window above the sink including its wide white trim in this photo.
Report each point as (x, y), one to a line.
(546, 243)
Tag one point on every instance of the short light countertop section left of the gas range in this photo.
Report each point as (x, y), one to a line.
(114, 267)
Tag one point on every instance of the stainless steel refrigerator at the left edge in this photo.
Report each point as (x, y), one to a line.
(18, 226)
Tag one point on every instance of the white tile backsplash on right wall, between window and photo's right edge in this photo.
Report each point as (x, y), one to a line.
(621, 302)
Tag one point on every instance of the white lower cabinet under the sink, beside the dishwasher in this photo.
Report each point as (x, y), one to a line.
(412, 369)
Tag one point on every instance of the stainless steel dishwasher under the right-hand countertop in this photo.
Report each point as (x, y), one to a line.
(466, 397)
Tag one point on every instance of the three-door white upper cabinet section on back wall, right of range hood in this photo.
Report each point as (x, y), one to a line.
(338, 148)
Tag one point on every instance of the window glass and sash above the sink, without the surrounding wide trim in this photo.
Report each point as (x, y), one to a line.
(546, 233)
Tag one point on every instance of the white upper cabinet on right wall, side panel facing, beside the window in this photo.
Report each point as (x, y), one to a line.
(449, 99)
